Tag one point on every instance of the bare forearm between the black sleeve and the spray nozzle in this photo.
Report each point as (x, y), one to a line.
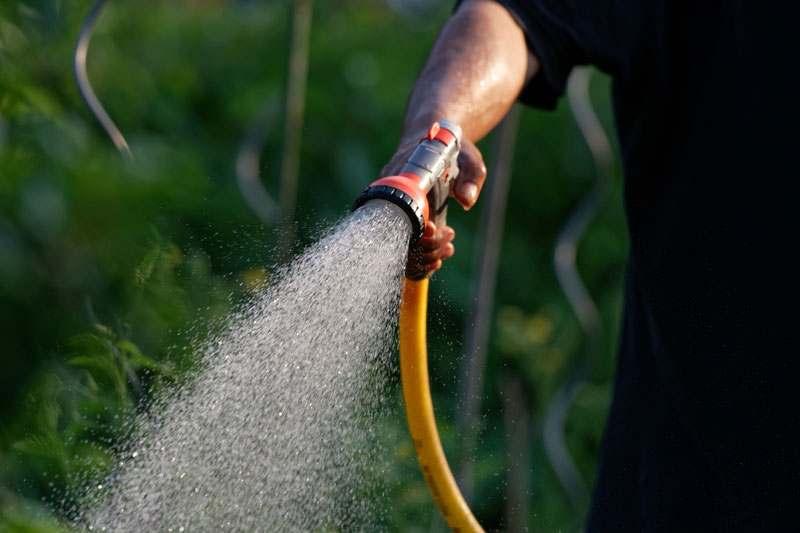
(474, 74)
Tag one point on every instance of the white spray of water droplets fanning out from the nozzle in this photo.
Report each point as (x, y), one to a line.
(276, 432)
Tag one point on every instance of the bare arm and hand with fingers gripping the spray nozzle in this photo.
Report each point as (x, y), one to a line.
(475, 72)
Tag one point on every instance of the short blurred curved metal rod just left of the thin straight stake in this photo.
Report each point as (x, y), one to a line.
(248, 163)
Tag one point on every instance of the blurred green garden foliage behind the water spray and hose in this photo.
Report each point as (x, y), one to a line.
(110, 272)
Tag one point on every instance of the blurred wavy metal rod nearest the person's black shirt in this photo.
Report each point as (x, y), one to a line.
(564, 260)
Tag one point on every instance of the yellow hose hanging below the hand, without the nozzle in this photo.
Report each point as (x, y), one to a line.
(419, 409)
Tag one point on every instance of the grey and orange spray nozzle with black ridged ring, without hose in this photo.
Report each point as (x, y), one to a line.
(423, 184)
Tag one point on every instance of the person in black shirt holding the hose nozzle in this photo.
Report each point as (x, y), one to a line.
(701, 434)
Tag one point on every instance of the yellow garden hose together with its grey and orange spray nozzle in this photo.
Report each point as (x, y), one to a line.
(421, 190)
